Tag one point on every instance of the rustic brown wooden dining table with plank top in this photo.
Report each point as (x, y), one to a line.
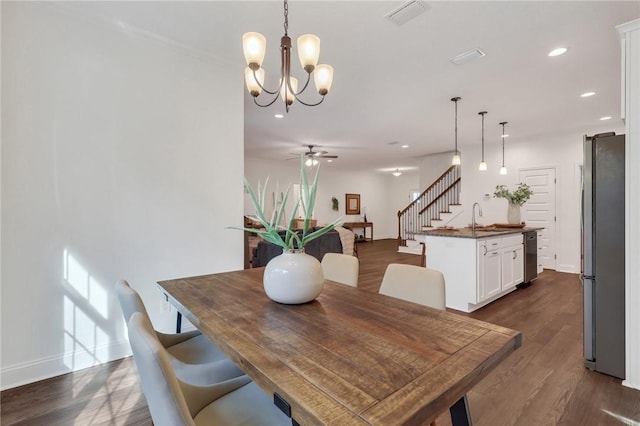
(348, 357)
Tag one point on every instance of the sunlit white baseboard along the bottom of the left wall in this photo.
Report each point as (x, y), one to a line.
(45, 368)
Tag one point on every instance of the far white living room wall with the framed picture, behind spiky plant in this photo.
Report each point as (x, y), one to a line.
(381, 194)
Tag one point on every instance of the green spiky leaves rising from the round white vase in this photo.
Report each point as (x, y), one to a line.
(291, 239)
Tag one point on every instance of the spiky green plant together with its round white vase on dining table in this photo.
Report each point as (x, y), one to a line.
(292, 277)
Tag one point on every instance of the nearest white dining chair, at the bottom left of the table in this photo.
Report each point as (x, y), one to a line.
(236, 401)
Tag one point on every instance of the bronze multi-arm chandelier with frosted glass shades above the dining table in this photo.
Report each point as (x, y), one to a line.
(254, 45)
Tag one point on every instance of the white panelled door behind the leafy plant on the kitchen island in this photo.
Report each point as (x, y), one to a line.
(540, 211)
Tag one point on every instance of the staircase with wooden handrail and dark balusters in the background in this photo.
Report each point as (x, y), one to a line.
(435, 207)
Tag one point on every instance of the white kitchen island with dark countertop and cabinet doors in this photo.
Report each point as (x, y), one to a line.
(479, 265)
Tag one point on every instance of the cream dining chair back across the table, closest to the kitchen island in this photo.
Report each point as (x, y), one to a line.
(414, 284)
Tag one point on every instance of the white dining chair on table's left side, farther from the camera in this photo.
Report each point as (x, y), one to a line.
(194, 357)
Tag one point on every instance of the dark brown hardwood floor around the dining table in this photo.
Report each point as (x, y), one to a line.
(542, 383)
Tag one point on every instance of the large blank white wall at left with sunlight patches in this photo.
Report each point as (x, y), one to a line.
(121, 158)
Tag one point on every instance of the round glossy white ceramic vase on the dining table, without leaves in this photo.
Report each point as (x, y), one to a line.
(293, 277)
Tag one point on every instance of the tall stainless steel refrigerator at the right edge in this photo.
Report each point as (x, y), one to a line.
(603, 237)
